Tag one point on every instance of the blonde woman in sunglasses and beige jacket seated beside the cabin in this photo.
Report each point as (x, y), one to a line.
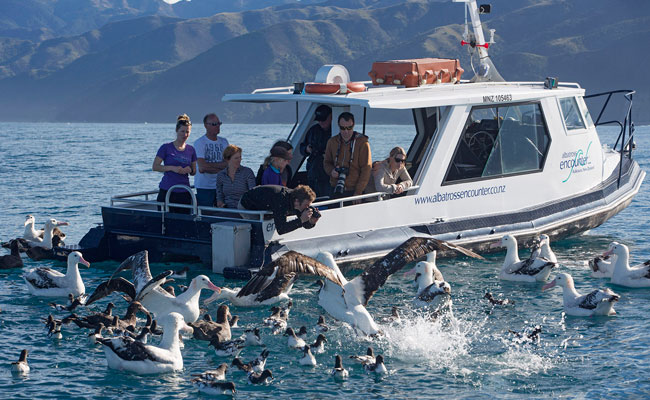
(388, 172)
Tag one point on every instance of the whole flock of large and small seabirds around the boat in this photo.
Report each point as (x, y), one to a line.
(155, 346)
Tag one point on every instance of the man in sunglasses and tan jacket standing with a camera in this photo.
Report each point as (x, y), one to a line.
(348, 160)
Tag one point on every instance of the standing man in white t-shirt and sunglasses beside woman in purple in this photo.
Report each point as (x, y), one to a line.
(209, 153)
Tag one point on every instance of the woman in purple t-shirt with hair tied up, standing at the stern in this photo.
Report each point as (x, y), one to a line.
(179, 161)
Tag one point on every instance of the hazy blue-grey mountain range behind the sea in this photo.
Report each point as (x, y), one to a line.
(146, 60)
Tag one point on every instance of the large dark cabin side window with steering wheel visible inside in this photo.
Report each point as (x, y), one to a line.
(500, 140)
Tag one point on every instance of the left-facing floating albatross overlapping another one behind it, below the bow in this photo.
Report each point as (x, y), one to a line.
(530, 270)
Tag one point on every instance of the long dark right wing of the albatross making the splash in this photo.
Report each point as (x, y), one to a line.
(414, 248)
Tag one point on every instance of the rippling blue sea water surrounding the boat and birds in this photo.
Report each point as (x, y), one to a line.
(67, 171)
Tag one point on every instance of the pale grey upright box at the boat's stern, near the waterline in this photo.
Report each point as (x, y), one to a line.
(231, 245)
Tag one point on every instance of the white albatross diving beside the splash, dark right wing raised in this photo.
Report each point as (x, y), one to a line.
(347, 302)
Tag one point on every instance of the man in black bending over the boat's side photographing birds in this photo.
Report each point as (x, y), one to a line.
(282, 202)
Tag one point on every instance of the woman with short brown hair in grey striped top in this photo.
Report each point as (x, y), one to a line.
(234, 180)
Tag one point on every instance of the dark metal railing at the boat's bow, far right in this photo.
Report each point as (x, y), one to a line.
(626, 127)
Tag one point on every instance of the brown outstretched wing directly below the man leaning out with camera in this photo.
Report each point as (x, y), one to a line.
(273, 279)
